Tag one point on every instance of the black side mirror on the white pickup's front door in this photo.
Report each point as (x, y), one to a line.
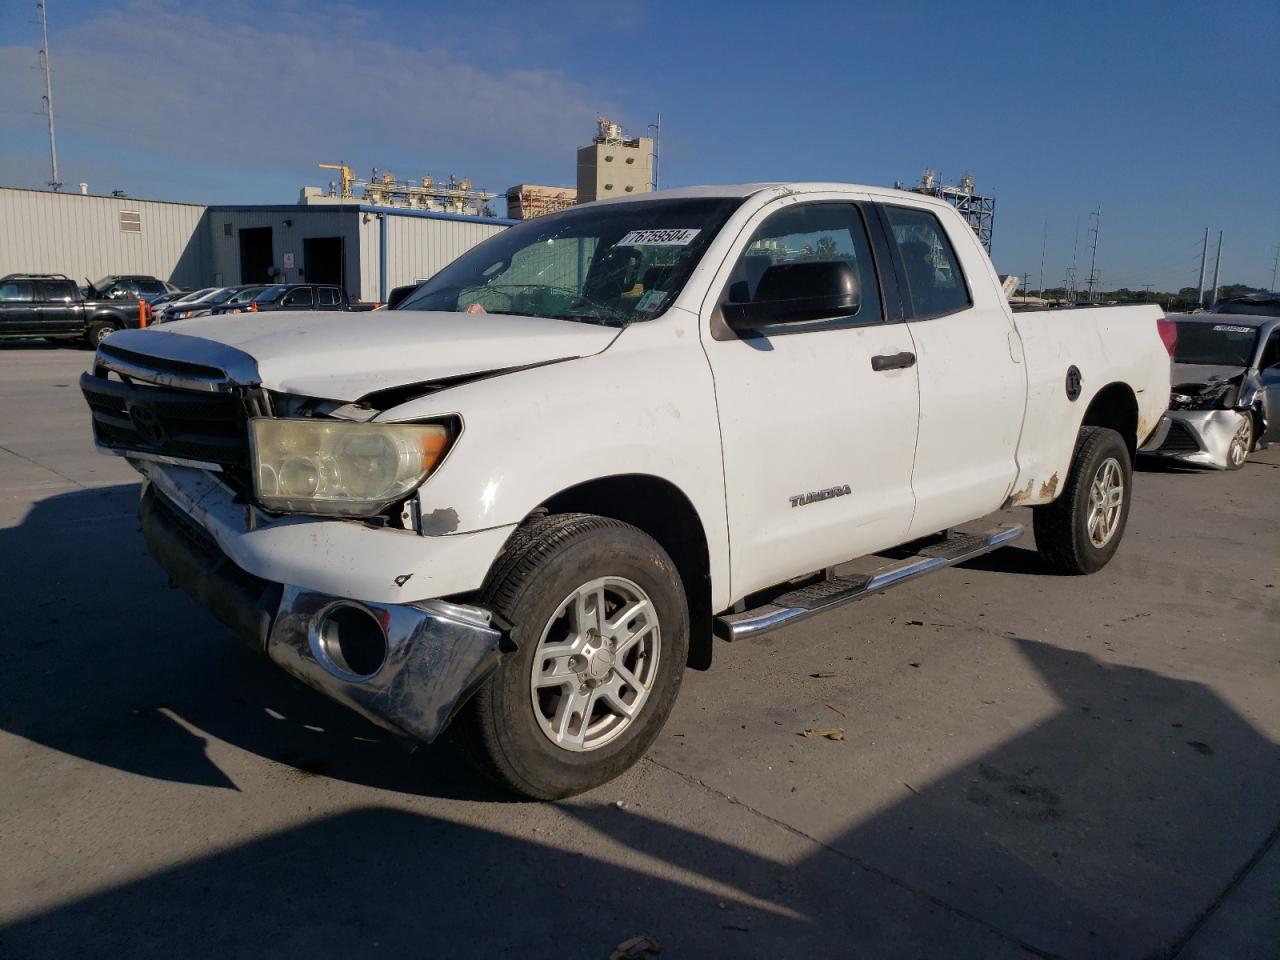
(793, 294)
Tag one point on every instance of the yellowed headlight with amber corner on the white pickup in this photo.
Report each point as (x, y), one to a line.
(335, 467)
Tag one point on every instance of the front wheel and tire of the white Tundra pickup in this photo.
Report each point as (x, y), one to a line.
(601, 627)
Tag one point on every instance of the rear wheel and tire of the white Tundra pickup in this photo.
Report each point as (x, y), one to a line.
(1081, 532)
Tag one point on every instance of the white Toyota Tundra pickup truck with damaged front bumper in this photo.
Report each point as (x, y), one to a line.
(529, 497)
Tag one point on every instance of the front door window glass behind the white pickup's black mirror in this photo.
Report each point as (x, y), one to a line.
(807, 235)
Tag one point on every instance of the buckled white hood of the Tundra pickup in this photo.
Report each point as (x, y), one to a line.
(346, 356)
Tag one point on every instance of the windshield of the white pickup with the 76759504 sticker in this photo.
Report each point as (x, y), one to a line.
(612, 264)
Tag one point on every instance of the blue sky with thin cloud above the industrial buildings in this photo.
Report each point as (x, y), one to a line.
(1164, 116)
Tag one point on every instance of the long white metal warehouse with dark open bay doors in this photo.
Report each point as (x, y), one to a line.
(367, 249)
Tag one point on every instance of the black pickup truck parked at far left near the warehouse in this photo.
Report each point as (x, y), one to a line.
(54, 308)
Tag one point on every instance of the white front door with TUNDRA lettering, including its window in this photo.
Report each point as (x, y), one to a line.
(819, 419)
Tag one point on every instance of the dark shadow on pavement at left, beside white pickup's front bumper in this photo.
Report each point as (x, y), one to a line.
(116, 668)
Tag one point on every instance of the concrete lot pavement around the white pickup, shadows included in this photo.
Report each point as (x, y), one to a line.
(1034, 766)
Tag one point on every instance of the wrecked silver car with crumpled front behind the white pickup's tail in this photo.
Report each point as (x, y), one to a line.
(1226, 378)
